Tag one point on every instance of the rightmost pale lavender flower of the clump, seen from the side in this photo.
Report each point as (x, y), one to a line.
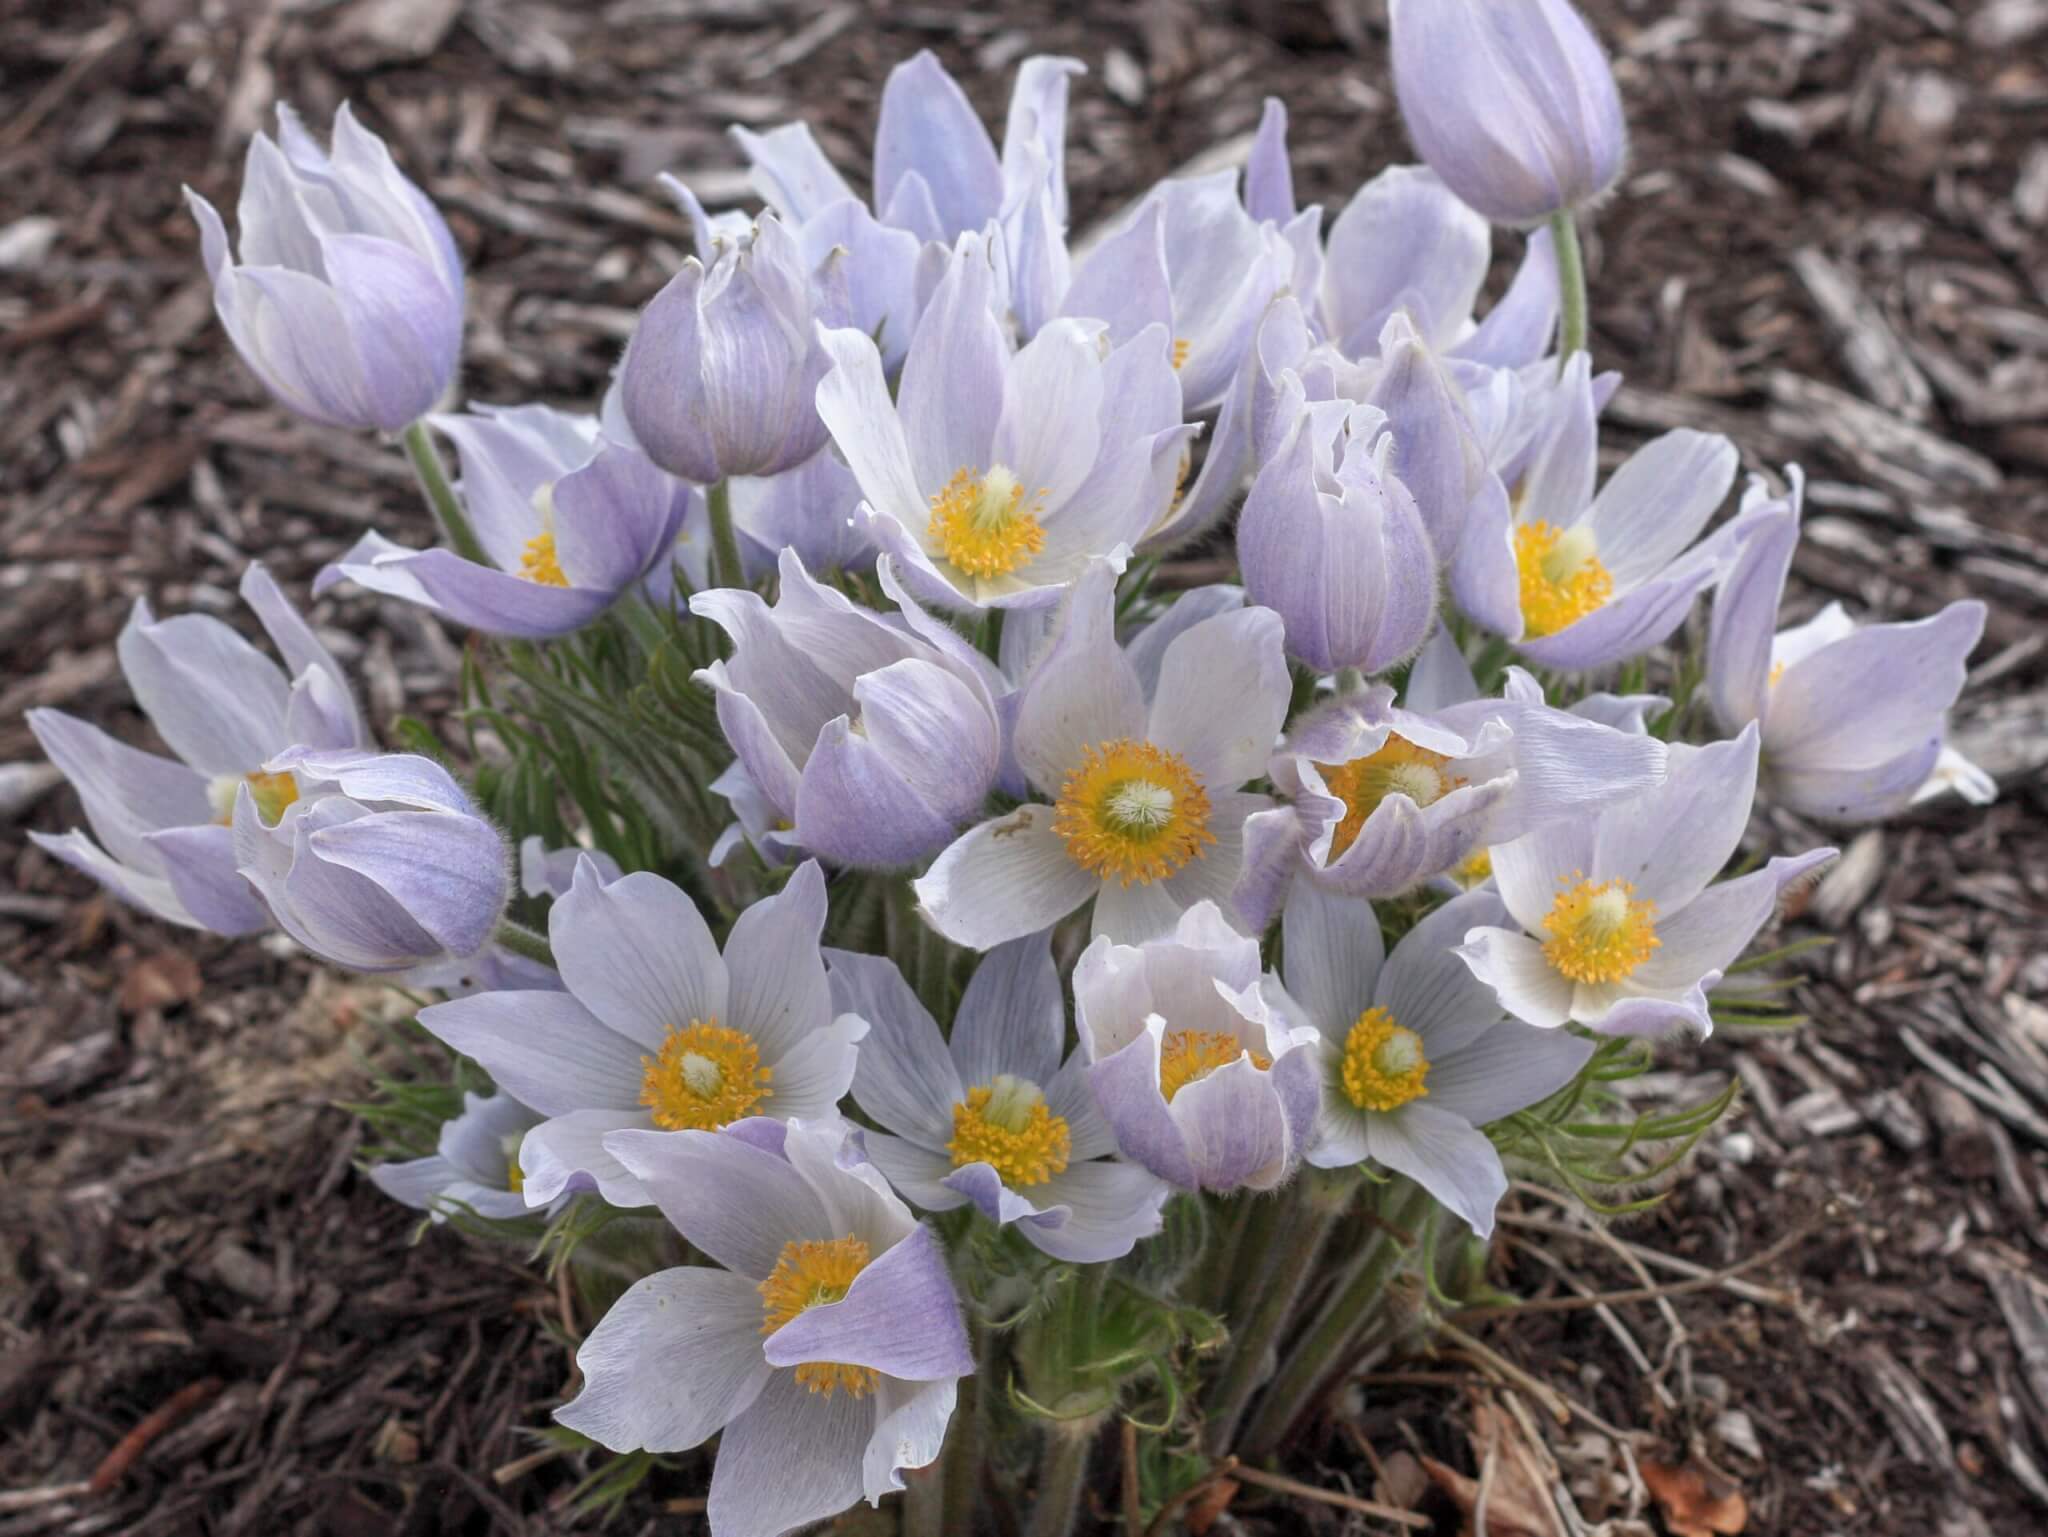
(1852, 718)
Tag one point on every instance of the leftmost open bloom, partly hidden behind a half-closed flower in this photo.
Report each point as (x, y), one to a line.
(161, 827)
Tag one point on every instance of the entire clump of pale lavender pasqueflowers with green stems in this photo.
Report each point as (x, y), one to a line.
(937, 903)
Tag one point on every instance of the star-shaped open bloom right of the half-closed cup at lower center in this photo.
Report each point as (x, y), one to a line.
(1416, 1052)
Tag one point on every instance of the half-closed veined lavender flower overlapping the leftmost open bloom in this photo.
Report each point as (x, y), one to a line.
(378, 862)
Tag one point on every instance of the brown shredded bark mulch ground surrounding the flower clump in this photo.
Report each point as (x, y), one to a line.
(1832, 245)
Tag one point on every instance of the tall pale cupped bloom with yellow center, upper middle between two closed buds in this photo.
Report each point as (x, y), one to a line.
(996, 476)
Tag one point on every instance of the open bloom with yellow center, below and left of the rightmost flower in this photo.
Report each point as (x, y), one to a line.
(1621, 927)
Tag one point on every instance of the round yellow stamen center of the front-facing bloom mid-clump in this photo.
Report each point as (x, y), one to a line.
(1134, 813)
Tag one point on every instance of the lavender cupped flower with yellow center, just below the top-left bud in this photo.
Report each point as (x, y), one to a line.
(568, 522)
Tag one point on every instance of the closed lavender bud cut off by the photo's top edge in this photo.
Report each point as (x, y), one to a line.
(1510, 101)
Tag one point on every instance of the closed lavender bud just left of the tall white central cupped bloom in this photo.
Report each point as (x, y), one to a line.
(722, 370)
